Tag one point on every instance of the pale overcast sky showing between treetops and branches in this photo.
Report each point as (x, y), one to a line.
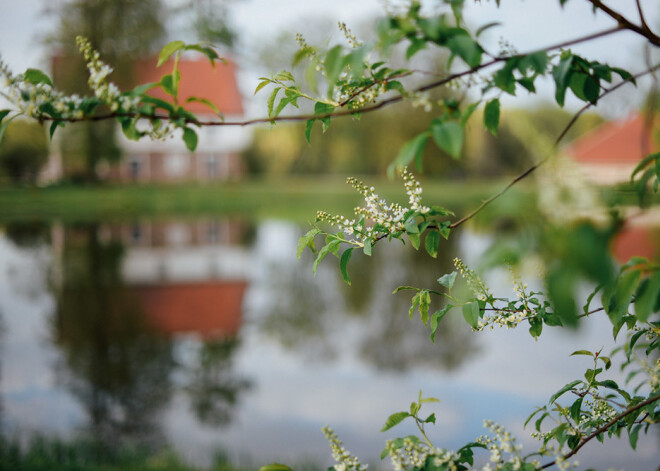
(526, 24)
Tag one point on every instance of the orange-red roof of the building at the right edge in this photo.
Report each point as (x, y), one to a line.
(623, 142)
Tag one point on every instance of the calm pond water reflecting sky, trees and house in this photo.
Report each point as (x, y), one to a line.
(209, 337)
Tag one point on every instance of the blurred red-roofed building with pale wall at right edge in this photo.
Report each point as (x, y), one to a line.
(610, 152)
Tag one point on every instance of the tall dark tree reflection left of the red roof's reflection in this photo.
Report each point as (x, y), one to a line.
(117, 369)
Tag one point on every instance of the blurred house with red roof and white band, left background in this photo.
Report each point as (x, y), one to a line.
(217, 156)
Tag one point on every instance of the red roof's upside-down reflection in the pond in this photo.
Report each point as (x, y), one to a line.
(209, 309)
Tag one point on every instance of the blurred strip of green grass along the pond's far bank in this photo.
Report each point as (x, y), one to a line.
(291, 198)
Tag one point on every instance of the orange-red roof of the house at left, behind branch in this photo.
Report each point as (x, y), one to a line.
(198, 79)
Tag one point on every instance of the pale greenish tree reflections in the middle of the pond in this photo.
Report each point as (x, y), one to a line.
(314, 314)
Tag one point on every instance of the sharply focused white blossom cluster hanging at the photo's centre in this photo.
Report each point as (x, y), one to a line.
(385, 218)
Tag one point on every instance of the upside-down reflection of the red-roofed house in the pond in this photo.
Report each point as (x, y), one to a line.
(180, 277)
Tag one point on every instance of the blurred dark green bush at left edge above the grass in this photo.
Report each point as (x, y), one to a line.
(24, 151)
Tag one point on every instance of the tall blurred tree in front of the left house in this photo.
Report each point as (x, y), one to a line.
(121, 30)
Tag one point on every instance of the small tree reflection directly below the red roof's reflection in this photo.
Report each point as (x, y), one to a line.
(214, 389)
